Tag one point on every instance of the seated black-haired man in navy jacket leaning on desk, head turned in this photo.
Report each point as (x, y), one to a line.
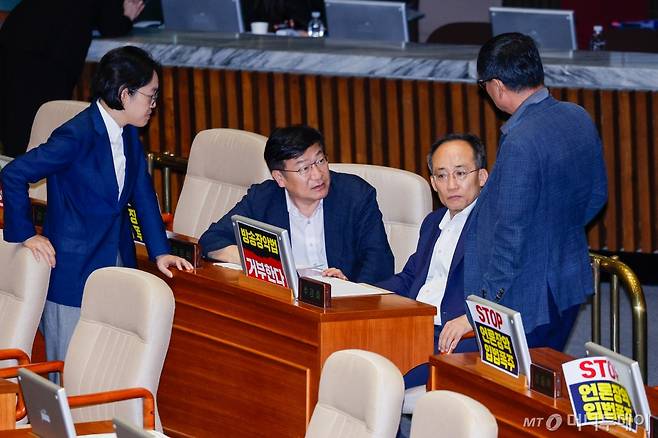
(333, 218)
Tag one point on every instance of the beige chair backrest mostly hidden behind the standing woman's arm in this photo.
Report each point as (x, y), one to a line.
(51, 115)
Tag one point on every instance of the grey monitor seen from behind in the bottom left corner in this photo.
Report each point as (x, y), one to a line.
(47, 406)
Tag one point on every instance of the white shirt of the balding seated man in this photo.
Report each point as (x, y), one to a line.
(437, 276)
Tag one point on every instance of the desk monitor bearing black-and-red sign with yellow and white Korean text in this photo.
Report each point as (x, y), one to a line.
(265, 252)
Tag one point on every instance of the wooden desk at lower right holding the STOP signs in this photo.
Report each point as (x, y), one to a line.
(510, 401)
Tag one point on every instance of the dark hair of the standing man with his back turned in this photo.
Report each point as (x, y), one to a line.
(513, 59)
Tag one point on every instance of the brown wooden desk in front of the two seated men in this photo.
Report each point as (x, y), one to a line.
(245, 359)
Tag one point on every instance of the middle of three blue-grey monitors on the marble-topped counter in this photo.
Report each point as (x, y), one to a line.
(367, 20)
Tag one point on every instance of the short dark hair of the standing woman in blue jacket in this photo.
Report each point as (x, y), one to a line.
(127, 67)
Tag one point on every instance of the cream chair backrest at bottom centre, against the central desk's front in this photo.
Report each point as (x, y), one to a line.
(360, 396)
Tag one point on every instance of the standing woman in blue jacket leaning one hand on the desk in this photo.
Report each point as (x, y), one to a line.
(95, 166)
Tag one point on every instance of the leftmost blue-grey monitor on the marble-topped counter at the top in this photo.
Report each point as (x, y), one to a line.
(203, 15)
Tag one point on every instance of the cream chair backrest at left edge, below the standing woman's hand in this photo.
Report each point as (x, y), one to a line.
(23, 288)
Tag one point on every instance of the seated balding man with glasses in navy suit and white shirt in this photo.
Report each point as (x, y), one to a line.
(434, 274)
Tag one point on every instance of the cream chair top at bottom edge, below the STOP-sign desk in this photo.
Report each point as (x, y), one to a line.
(454, 415)
